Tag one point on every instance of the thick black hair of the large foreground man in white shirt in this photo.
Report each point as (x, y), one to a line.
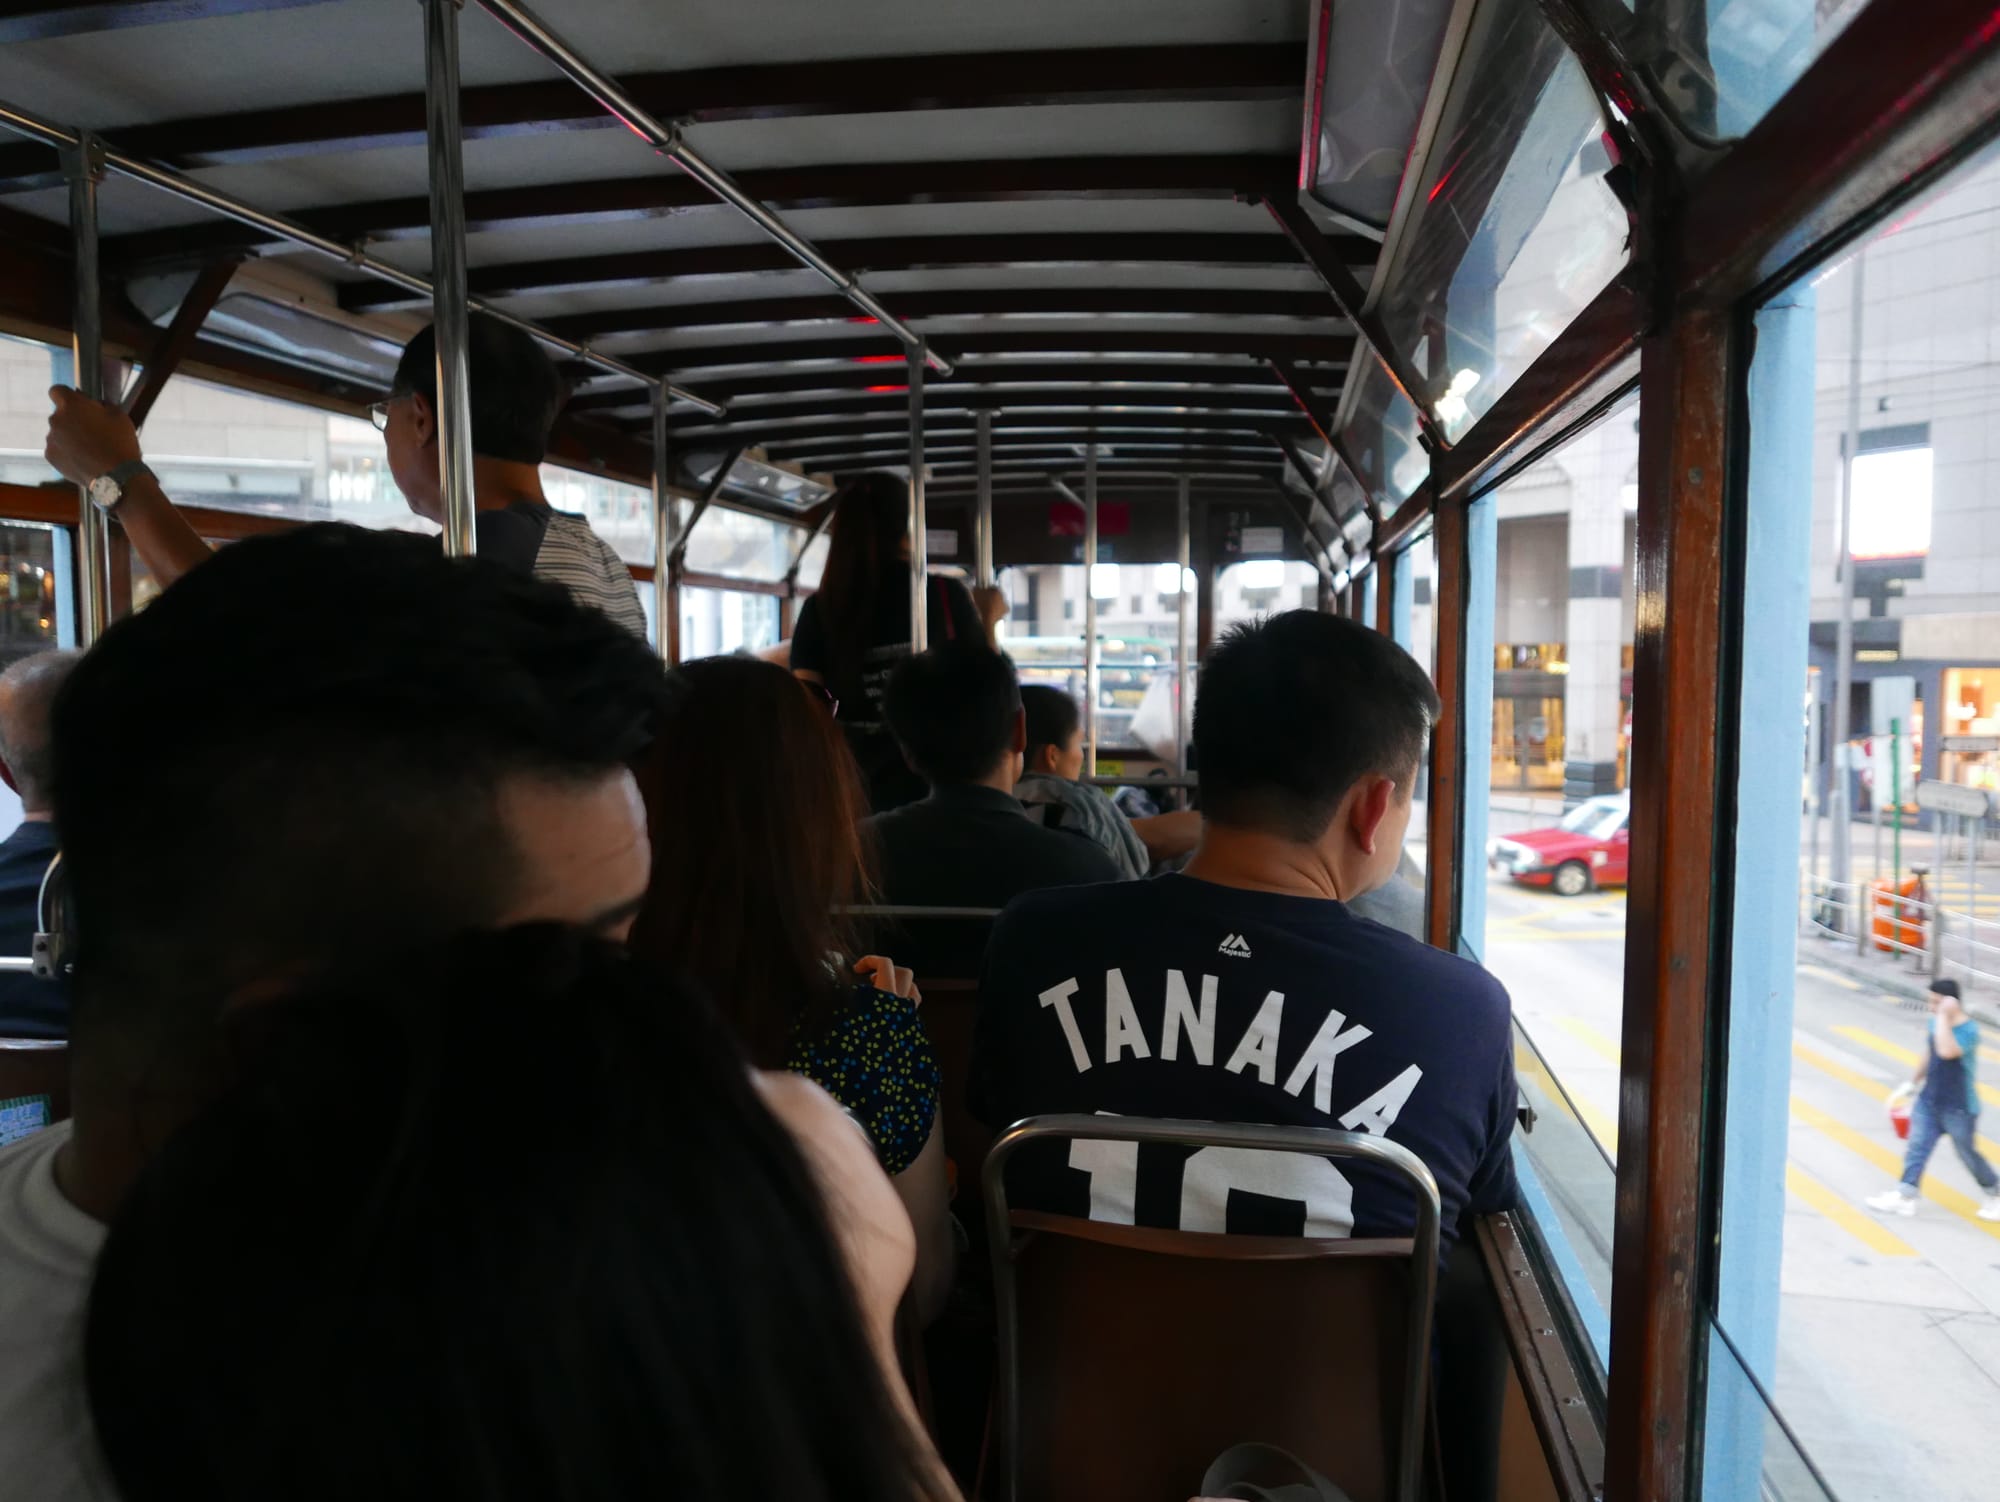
(299, 751)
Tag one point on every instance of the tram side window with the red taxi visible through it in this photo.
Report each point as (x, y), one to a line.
(1549, 663)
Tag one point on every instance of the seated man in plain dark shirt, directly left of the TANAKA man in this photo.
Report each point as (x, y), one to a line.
(969, 845)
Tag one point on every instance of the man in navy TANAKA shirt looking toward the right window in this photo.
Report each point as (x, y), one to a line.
(1245, 989)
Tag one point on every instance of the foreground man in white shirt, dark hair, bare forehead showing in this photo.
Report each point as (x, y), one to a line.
(319, 745)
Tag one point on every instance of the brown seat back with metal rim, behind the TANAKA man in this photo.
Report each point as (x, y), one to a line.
(1133, 1357)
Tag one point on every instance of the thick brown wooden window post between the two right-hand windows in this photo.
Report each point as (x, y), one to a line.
(1665, 1225)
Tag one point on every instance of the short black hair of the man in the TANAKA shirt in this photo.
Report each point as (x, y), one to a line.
(1295, 711)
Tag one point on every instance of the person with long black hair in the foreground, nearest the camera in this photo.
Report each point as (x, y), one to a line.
(507, 1225)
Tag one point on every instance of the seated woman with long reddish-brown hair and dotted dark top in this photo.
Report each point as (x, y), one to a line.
(757, 801)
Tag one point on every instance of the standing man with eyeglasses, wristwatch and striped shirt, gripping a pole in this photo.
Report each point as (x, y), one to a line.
(515, 399)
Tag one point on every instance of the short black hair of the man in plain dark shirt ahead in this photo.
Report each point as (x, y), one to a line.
(953, 711)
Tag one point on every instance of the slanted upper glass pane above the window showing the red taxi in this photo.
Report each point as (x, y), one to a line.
(1517, 231)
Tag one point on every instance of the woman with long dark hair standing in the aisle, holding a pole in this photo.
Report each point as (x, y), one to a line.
(857, 625)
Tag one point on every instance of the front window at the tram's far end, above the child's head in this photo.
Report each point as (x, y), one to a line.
(1139, 621)
